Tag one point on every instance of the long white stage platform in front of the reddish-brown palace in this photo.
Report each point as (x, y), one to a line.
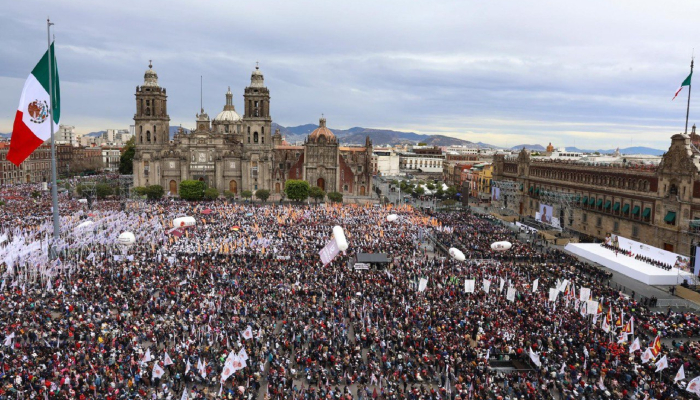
(628, 266)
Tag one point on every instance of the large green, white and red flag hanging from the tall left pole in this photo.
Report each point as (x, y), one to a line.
(32, 126)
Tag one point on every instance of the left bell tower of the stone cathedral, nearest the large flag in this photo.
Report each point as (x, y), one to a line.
(151, 120)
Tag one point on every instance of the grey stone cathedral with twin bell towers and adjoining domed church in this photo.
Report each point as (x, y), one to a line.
(236, 152)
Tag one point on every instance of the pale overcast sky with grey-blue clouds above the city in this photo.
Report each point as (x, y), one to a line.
(595, 74)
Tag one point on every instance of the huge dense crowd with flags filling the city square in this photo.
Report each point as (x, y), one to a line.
(163, 318)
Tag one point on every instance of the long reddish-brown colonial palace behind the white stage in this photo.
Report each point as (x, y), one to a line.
(657, 205)
